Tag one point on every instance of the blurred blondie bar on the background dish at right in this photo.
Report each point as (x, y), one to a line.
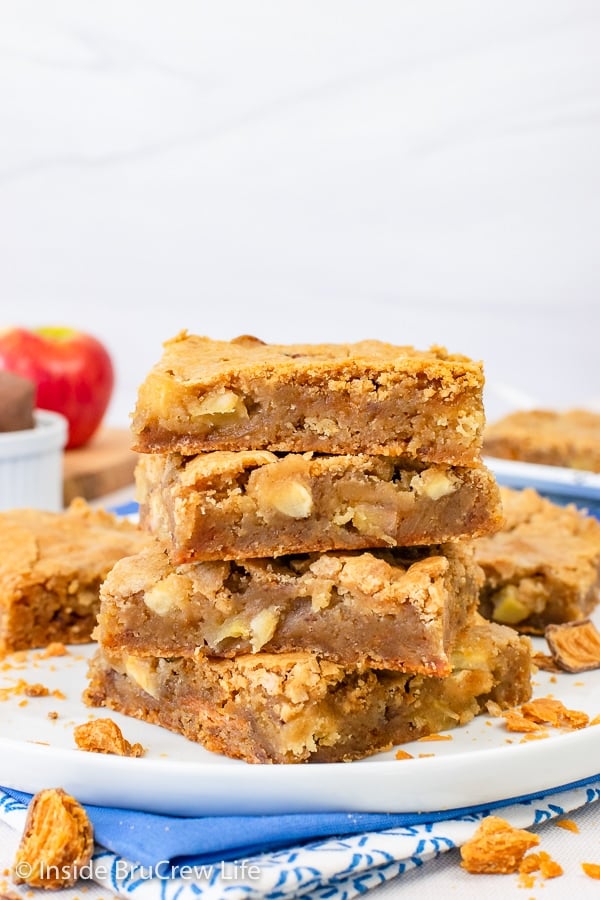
(547, 437)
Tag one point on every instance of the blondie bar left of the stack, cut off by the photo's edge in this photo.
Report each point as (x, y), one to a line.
(51, 569)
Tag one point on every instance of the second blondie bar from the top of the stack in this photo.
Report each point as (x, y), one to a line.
(233, 505)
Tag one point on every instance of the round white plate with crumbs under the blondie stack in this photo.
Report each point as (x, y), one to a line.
(482, 762)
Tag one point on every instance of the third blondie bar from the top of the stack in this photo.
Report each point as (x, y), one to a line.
(399, 609)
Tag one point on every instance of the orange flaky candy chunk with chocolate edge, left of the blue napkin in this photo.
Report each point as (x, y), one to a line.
(57, 841)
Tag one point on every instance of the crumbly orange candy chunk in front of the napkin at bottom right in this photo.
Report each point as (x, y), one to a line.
(496, 848)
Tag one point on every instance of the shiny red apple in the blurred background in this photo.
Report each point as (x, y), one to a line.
(73, 372)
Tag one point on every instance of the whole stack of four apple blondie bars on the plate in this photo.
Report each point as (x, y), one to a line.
(311, 594)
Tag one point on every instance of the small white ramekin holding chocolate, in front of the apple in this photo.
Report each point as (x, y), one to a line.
(31, 464)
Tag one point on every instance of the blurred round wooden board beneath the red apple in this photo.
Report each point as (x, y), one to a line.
(104, 465)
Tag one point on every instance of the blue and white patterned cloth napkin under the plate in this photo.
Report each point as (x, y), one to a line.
(318, 856)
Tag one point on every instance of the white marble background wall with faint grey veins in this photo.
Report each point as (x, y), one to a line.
(423, 172)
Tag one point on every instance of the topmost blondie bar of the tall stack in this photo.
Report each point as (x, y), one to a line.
(366, 397)
